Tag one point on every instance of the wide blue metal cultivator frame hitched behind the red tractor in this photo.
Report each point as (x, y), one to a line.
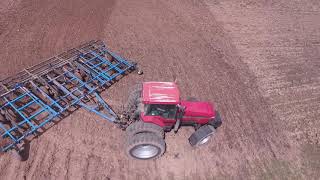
(37, 96)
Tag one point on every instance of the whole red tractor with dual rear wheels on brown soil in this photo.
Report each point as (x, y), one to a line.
(155, 108)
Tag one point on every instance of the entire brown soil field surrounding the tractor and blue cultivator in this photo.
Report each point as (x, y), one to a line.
(259, 61)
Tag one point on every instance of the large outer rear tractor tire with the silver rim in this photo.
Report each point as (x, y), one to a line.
(145, 146)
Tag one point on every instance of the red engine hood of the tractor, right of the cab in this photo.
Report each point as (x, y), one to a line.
(198, 109)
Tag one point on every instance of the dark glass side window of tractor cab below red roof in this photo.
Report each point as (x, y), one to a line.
(167, 111)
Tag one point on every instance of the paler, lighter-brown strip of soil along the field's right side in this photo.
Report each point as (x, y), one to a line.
(279, 42)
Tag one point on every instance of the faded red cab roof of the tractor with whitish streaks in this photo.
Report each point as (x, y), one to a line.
(160, 93)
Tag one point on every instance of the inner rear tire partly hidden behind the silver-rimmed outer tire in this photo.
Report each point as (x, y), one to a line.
(142, 127)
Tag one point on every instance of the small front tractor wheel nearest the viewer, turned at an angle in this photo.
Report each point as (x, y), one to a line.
(201, 136)
